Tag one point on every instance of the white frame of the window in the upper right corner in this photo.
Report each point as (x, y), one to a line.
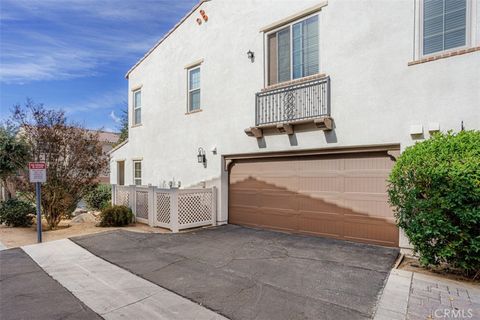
(469, 30)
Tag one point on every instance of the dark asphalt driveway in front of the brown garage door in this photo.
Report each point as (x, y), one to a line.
(245, 273)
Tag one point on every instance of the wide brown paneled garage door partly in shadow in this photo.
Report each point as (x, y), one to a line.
(339, 196)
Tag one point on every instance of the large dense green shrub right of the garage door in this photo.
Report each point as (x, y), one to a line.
(435, 189)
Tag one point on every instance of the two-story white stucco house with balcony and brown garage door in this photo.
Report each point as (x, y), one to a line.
(298, 109)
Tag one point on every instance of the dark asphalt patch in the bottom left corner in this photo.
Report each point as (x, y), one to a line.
(27, 292)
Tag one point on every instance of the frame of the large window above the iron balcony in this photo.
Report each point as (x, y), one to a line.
(290, 26)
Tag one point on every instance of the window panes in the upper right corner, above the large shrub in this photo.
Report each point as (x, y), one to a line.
(444, 25)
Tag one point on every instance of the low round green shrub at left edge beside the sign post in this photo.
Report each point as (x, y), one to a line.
(16, 213)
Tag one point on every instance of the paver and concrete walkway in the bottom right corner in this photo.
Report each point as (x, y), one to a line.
(415, 296)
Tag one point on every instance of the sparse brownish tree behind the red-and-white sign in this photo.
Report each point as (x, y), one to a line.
(73, 155)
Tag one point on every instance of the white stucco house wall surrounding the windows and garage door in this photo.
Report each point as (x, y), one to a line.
(365, 48)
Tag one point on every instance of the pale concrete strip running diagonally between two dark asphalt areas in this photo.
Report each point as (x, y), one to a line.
(109, 290)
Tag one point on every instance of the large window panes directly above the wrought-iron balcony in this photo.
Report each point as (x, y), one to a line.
(293, 51)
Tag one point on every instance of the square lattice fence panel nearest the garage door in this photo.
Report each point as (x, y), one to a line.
(194, 207)
